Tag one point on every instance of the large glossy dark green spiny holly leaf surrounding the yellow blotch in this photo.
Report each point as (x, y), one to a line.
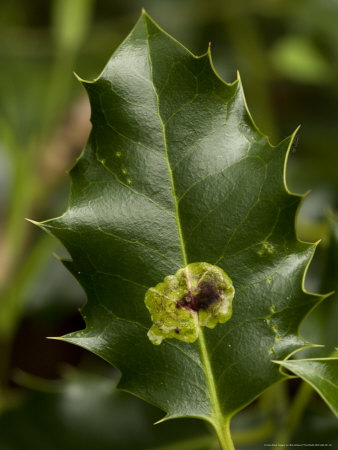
(175, 172)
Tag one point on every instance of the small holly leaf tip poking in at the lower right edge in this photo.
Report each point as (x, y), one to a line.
(321, 374)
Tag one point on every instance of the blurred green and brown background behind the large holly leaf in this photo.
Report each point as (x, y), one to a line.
(54, 395)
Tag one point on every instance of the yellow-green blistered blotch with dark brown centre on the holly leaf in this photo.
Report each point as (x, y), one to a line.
(200, 294)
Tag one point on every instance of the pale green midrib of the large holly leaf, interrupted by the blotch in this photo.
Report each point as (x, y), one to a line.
(218, 417)
